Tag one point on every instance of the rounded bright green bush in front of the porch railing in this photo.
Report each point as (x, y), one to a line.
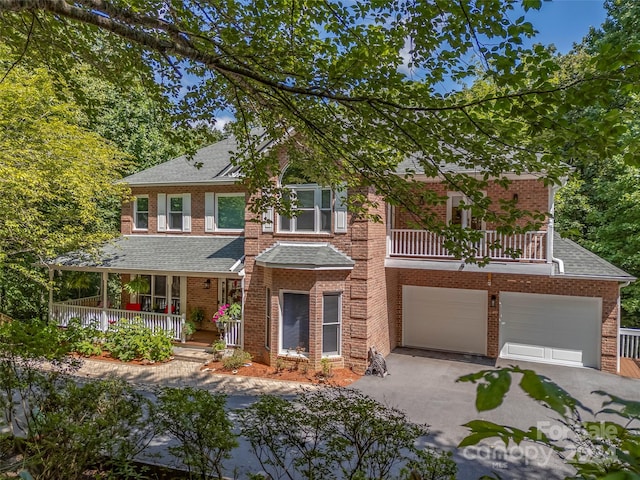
(132, 339)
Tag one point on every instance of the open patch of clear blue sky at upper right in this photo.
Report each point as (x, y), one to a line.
(565, 22)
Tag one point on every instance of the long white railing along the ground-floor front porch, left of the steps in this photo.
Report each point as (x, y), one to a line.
(100, 318)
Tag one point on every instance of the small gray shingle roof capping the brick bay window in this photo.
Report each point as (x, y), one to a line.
(305, 256)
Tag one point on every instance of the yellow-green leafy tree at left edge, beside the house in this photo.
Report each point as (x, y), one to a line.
(57, 179)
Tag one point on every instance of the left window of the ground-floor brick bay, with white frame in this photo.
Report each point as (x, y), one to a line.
(295, 323)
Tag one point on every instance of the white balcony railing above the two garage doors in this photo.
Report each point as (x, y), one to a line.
(422, 243)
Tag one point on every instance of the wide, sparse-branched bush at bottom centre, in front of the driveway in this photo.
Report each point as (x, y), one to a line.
(339, 433)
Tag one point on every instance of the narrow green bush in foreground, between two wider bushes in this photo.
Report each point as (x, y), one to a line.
(197, 420)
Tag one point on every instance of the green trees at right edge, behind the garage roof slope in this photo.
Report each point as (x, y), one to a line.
(599, 206)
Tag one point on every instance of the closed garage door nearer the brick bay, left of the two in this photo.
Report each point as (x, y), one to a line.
(451, 319)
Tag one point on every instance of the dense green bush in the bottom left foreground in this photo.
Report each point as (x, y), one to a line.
(75, 428)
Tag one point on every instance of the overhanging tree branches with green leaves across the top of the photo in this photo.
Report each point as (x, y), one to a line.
(357, 83)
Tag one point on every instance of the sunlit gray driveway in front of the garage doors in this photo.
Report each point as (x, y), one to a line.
(423, 384)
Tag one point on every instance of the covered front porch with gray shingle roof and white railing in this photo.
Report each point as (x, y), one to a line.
(131, 279)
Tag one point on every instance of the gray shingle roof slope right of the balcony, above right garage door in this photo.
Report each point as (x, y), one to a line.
(580, 262)
